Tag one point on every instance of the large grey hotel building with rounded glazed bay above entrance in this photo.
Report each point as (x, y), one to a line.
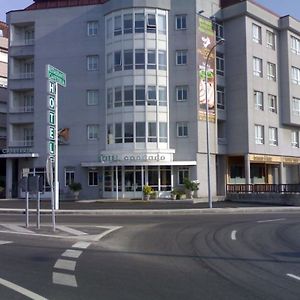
(132, 111)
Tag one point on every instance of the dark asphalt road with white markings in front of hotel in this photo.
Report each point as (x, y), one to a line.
(220, 256)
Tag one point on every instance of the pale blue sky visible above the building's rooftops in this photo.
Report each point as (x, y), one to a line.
(281, 7)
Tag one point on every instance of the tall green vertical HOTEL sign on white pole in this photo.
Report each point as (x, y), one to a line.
(55, 78)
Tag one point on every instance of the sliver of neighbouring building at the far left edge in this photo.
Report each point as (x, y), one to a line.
(3, 98)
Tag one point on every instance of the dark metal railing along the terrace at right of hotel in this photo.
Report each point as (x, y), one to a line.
(263, 188)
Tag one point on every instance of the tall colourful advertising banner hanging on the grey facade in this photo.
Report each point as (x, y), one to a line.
(205, 43)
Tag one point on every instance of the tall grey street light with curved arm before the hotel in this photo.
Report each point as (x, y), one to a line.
(220, 41)
